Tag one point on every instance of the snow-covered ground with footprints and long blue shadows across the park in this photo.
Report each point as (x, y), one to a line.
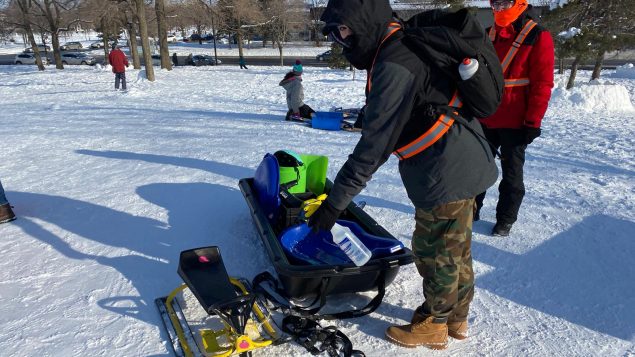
(109, 187)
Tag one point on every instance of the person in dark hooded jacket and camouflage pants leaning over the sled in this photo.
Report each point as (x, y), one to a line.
(441, 180)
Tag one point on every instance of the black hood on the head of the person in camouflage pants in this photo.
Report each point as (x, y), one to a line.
(368, 19)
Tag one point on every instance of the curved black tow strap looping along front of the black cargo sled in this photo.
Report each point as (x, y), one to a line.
(276, 296)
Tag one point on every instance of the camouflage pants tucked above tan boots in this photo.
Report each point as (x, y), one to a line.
(441, 245)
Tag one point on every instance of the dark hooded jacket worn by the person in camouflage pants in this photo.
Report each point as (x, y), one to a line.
(403, 88)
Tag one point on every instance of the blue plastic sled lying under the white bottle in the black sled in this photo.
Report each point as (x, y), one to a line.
(303, 246)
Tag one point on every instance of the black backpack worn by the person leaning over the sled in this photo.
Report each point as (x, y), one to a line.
(444, 39)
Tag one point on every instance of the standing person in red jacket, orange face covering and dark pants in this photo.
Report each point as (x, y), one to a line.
(528, 70)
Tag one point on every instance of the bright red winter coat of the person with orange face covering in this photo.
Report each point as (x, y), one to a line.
(524, 106)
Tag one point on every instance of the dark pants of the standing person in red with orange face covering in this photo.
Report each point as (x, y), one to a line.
(512, 188)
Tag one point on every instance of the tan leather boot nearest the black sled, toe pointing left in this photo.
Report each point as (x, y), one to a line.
(426, 333)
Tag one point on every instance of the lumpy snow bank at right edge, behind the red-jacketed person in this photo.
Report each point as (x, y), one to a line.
(595, 96)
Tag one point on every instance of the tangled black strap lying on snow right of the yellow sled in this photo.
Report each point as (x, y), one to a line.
(317, 339)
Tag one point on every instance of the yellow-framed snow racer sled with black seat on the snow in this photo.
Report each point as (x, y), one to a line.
(246, 324)
